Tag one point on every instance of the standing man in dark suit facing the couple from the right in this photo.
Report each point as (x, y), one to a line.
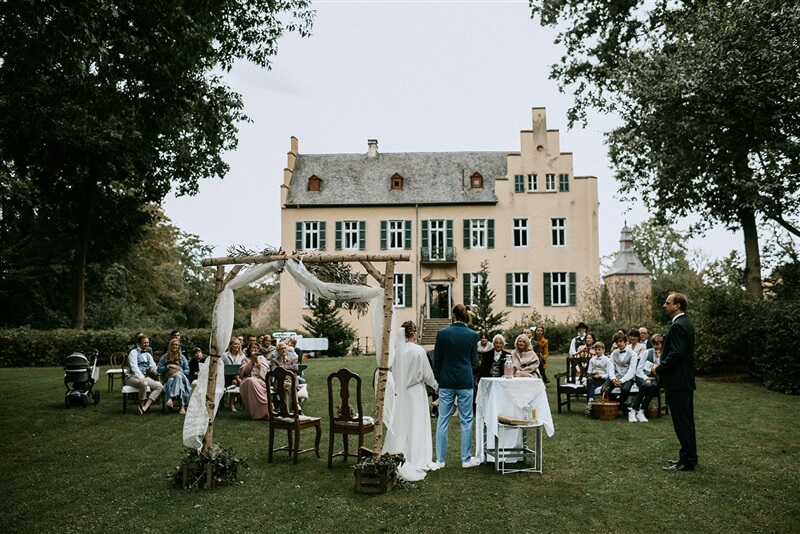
(676, 375)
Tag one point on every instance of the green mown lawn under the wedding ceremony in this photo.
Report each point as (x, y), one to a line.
(96, 470)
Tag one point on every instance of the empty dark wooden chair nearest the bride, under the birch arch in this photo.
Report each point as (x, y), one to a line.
(342, 421)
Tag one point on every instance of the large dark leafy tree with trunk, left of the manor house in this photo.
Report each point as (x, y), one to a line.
(109, 104)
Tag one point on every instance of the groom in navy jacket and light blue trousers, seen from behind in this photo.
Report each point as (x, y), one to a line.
(454, 355)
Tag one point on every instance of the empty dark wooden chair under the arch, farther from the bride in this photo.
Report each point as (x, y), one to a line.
(285, 415)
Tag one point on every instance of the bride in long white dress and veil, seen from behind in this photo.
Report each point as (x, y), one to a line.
(411, 427)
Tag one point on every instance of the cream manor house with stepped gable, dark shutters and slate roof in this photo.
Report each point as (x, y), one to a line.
(524, 212)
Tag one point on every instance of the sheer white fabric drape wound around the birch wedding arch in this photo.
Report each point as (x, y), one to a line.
(196, 422)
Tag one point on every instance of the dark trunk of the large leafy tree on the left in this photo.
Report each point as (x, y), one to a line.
(84, 216)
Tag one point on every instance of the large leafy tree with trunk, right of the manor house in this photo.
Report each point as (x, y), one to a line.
(707, 95)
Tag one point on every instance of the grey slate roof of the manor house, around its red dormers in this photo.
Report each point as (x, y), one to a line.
(428, 178)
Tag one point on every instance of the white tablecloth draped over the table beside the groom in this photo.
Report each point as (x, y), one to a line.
(508, 397)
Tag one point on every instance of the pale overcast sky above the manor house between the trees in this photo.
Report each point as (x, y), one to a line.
(418, 76)
